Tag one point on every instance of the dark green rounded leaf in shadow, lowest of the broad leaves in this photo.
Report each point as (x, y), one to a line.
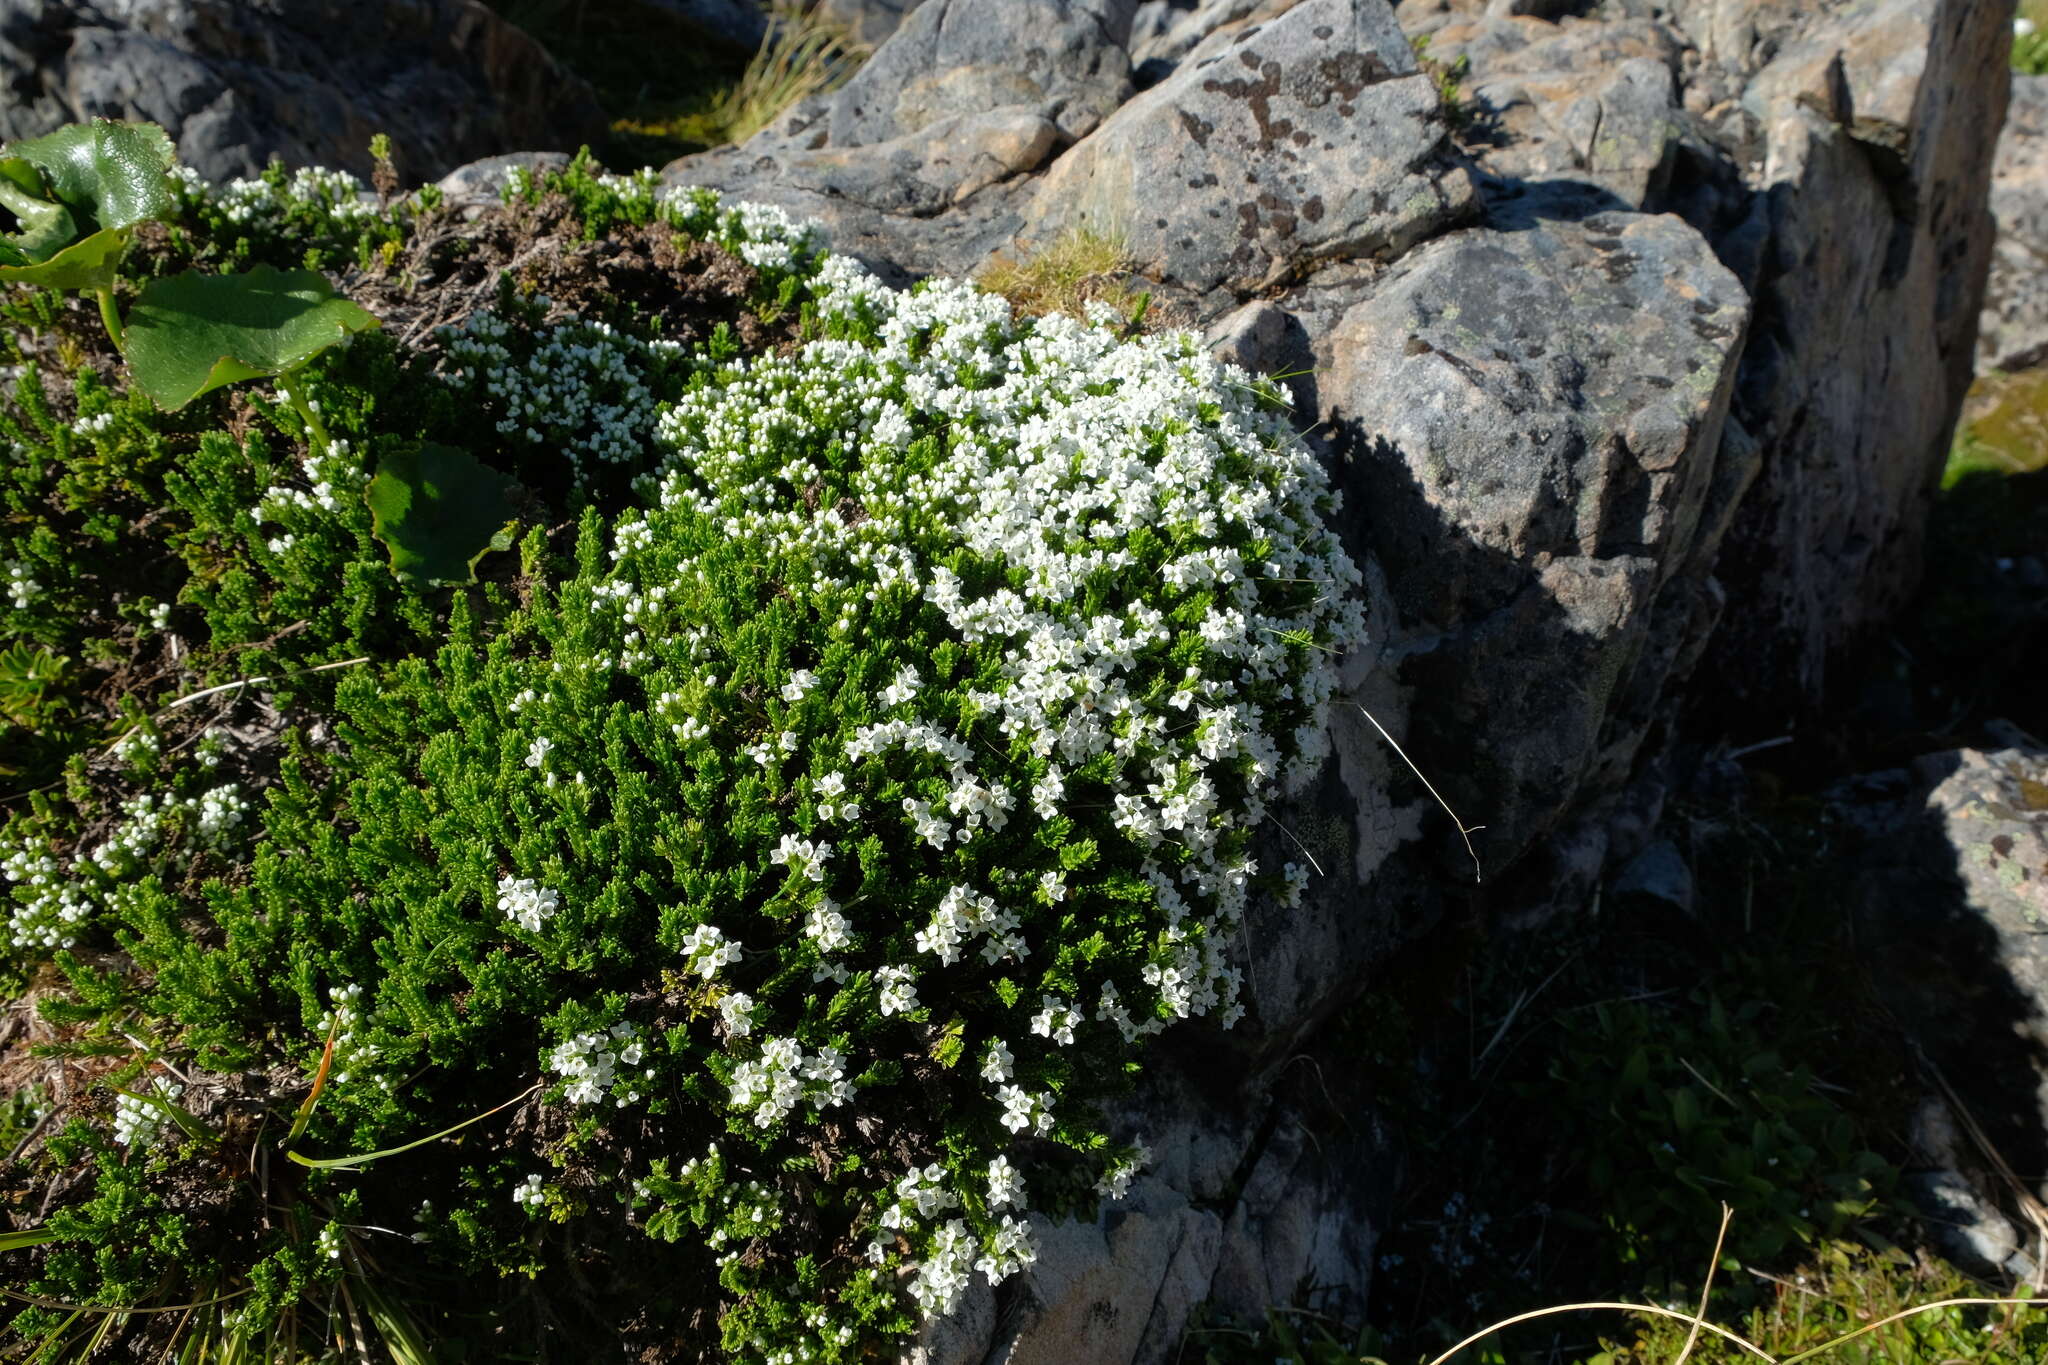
(437, 511)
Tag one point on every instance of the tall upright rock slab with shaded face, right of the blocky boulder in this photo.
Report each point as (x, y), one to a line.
(1873, 181)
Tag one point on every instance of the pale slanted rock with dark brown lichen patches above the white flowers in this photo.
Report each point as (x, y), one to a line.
(1312, 138)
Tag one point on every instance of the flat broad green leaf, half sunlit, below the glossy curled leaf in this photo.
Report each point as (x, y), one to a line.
(196, 333)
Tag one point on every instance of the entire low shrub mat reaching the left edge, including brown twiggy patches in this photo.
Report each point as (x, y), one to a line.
(712, 928)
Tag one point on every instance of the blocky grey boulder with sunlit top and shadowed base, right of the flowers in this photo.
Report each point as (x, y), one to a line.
(1531, 431)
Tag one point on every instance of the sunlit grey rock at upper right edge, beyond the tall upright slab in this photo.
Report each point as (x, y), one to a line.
(2014, 328)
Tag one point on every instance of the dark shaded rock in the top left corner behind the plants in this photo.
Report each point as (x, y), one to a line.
(245, 83)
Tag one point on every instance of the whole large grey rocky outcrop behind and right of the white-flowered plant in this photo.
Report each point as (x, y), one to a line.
(1635, 337)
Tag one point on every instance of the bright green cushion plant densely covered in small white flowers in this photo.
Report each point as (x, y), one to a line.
(822, 838)
